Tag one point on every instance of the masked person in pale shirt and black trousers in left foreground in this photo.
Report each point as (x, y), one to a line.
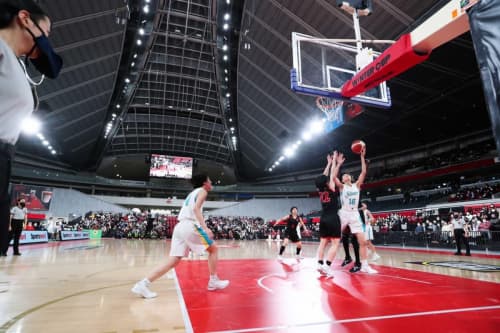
(24, 28)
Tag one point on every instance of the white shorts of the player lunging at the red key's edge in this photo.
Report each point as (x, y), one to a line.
(189, 236)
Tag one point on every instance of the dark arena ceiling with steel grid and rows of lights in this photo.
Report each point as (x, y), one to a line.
(173, 96)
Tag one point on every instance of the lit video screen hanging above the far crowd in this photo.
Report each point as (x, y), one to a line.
(163, 166)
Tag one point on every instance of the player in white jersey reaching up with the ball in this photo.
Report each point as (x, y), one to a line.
(349, 215)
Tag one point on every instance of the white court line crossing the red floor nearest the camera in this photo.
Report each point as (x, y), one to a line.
(354, 320)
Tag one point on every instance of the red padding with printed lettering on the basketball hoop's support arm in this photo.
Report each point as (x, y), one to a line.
(395, 60)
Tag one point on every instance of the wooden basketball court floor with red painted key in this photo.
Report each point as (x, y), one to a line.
(84, 286)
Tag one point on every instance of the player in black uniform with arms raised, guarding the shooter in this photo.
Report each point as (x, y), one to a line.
(329, 224)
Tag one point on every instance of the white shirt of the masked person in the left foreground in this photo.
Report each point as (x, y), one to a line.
(16, 100)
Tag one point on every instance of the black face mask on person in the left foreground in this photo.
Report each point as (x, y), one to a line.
(48, 62)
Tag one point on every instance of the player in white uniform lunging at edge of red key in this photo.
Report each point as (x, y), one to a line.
(191, 233)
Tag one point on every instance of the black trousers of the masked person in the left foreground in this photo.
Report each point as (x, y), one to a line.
(6, 156)
